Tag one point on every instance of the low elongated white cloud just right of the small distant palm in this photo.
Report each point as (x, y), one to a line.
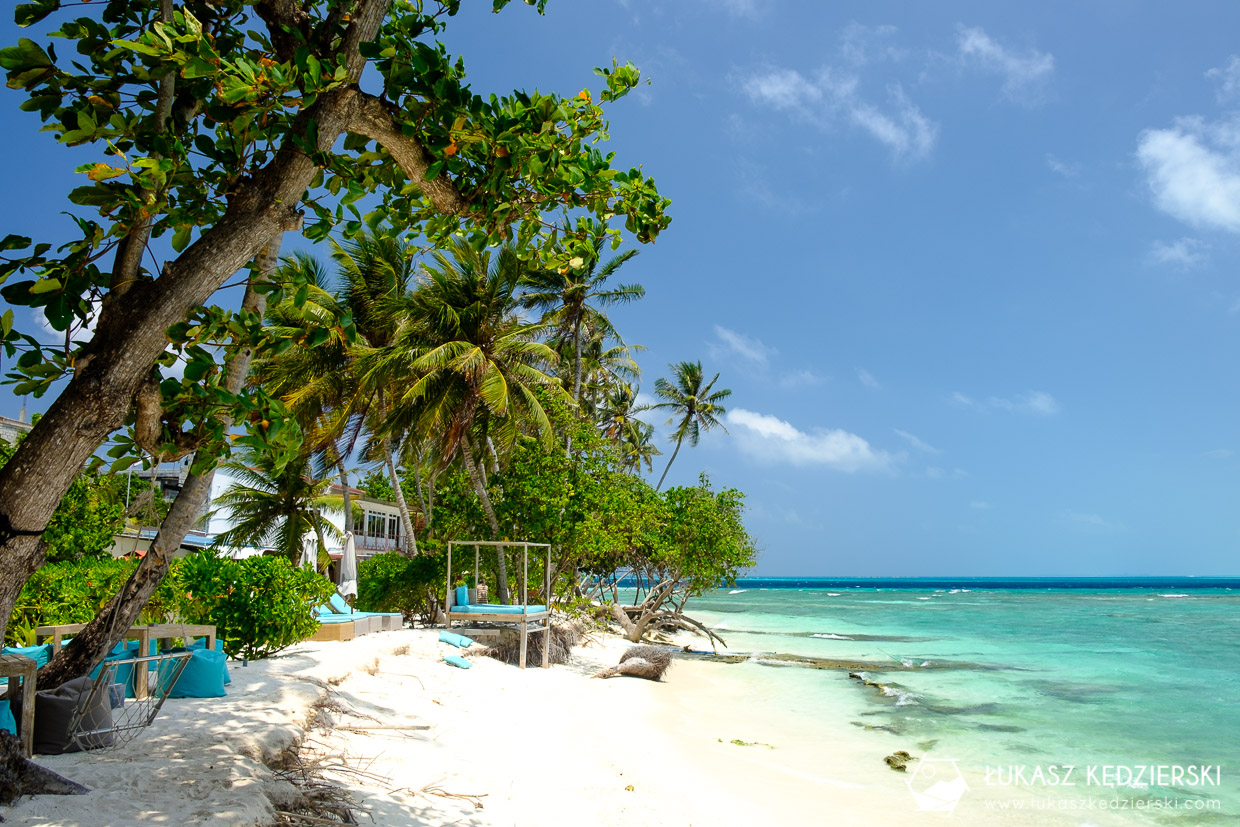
(772, 440)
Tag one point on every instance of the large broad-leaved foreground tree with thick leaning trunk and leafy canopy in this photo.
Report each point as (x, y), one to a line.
(221, 125)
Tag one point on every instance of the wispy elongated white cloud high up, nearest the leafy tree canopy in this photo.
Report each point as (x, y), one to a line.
(834, 97)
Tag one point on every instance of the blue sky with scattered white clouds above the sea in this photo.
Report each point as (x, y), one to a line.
(968, 268)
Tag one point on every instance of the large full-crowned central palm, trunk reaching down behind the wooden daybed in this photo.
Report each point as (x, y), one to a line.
(466, 369)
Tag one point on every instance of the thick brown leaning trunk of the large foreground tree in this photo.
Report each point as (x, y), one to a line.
(131, 334)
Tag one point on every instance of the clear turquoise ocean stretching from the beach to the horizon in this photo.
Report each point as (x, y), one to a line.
(1015, 673)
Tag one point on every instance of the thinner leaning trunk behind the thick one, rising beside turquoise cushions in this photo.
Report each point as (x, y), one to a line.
(90, 647)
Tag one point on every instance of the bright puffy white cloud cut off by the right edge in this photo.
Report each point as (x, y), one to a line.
(1193, 172)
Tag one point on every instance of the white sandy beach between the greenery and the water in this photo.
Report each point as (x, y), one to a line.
(417, 742)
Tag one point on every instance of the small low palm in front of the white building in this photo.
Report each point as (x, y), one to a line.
(276, 506)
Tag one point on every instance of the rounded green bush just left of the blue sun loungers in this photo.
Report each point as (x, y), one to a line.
(259, 606)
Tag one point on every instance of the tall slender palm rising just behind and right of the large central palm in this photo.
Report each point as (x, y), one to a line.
(572, 299)
